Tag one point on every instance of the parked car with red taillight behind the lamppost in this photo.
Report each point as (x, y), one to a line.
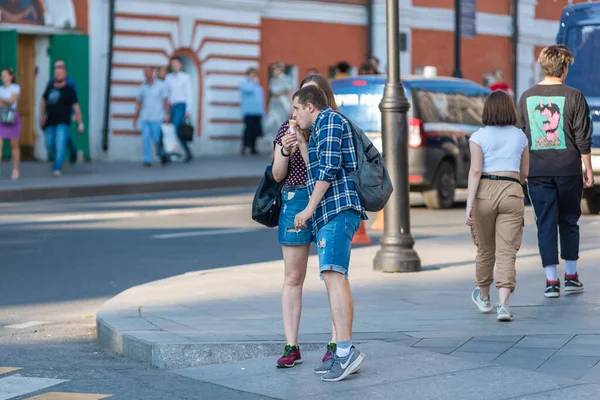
(444, 113)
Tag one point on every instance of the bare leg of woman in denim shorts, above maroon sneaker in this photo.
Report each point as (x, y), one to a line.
(295, 259)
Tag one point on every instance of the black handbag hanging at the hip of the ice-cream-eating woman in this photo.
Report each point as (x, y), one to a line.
(266, 204)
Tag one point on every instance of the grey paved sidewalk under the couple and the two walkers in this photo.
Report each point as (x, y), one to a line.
(422, 335)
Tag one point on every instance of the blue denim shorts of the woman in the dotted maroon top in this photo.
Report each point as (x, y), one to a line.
(294, 200)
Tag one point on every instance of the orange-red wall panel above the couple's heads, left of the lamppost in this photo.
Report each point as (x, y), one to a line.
(313, 45)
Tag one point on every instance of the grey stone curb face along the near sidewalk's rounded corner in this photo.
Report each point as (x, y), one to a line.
(174, 355)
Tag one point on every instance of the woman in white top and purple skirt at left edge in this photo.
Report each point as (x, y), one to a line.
(10, 127)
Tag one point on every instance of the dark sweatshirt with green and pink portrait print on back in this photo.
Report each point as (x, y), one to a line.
(557, 122)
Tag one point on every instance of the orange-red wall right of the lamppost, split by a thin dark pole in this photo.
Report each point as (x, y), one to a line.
(479, 55)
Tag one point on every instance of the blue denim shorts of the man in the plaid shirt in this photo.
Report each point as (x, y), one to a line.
(334, 242)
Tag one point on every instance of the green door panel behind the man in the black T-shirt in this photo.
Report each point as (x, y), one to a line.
(74, 51)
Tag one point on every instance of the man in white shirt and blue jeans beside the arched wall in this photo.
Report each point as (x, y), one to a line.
(180, 96)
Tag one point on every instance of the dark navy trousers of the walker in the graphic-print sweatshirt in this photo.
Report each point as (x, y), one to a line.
(556, 202)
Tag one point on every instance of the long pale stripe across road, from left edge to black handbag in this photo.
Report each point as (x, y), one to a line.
(126, 214)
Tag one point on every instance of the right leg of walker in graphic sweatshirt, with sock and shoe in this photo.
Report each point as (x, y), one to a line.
(570, 191)
